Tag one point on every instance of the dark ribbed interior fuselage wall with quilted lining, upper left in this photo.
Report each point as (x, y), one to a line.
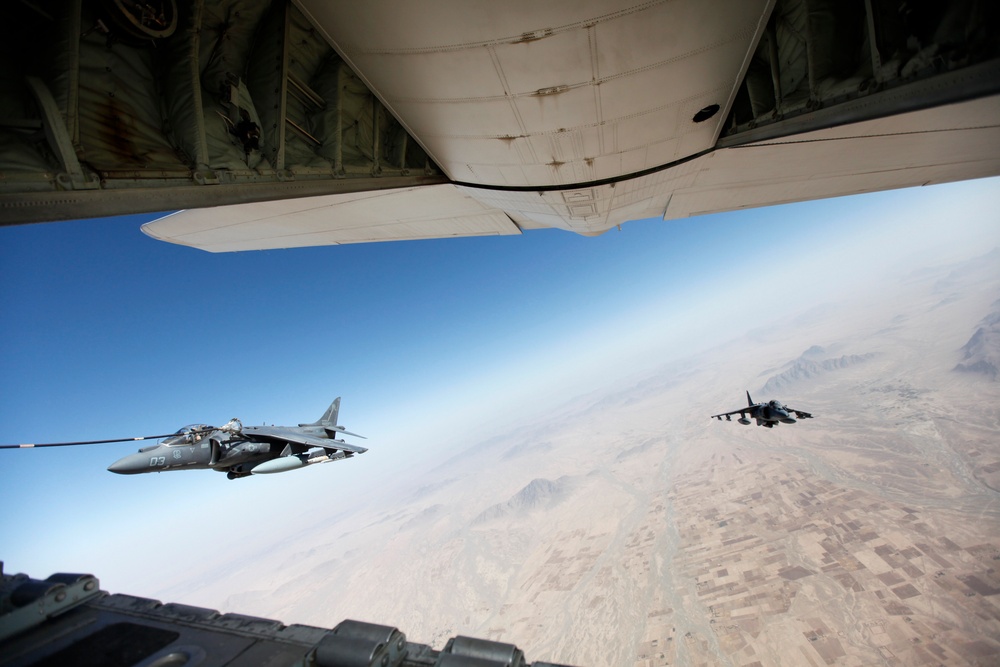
(122, 107)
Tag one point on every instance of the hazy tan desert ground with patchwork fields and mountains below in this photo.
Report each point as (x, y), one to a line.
(627, 528)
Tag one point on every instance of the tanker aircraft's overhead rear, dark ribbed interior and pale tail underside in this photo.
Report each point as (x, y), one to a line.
(316, 122)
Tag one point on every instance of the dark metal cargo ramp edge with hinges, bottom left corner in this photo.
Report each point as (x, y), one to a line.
(67, 619)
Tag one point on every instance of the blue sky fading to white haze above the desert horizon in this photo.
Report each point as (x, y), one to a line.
(108, 333)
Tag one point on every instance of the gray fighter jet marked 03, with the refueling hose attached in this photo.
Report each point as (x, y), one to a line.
(235, 449)
